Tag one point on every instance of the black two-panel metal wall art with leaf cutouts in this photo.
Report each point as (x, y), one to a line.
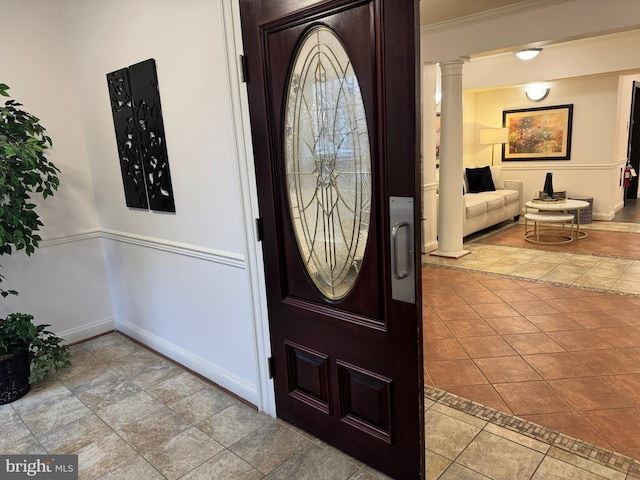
(137, 119)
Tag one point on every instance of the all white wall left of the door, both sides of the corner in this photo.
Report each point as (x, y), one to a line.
(187, 283)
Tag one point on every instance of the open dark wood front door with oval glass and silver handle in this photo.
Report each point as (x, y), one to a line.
(332, 97)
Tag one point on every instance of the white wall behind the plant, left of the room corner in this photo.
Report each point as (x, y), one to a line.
(65, 282)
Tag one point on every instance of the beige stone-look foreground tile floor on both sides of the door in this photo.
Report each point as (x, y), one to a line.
(129, 413)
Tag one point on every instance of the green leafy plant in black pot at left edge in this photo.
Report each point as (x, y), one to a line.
(27, 351)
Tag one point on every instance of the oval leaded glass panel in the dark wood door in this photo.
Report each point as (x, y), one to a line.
(328, 162)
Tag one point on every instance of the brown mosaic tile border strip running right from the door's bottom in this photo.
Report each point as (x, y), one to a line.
(546, 435)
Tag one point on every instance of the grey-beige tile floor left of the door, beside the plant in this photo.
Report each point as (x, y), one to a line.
(129, 413)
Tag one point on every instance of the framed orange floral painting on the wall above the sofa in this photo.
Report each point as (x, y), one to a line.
(542, 133)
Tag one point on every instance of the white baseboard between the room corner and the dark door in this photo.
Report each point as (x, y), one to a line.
(213, 372)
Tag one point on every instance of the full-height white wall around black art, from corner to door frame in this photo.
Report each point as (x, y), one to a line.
(180, 282)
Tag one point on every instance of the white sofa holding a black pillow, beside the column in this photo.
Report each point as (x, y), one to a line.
(487, 208)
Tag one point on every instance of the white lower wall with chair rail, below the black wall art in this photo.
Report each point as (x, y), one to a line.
(190, 303)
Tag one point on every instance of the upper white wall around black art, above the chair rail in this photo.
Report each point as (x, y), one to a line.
(187, 44)
